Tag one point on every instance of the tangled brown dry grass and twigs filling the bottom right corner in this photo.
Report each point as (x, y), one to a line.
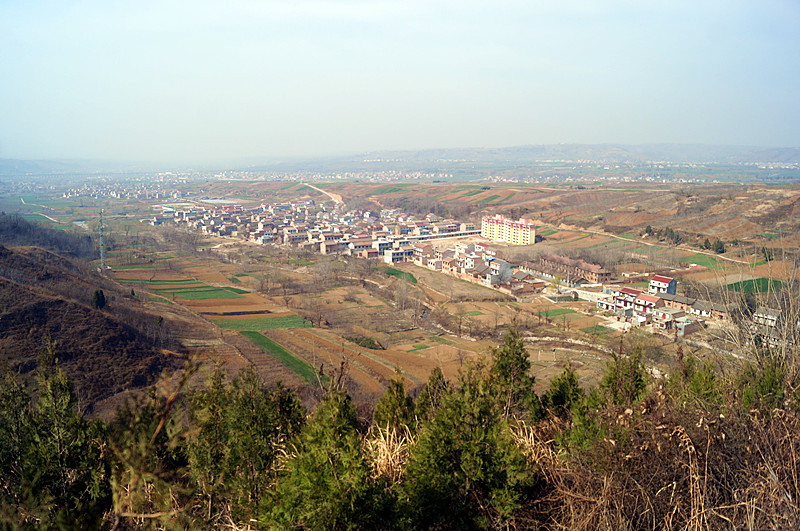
(658, 469)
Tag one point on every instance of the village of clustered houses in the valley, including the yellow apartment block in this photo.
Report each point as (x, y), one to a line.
(456, 249)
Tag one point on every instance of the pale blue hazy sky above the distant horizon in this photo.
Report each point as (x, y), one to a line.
(198, 81)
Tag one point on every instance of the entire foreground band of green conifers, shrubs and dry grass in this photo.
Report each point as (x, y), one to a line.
(687, 451)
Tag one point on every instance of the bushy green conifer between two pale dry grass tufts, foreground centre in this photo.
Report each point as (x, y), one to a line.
(465, 471)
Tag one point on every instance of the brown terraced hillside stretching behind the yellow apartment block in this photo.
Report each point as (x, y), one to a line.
(743, 212)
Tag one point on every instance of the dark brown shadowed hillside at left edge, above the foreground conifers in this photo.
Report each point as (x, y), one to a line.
(44, 296)
